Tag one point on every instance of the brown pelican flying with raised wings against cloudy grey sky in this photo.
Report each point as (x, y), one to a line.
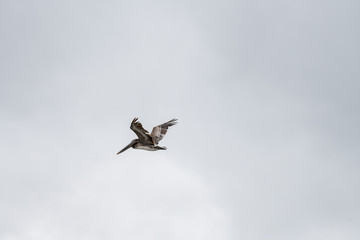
(145, 140)
